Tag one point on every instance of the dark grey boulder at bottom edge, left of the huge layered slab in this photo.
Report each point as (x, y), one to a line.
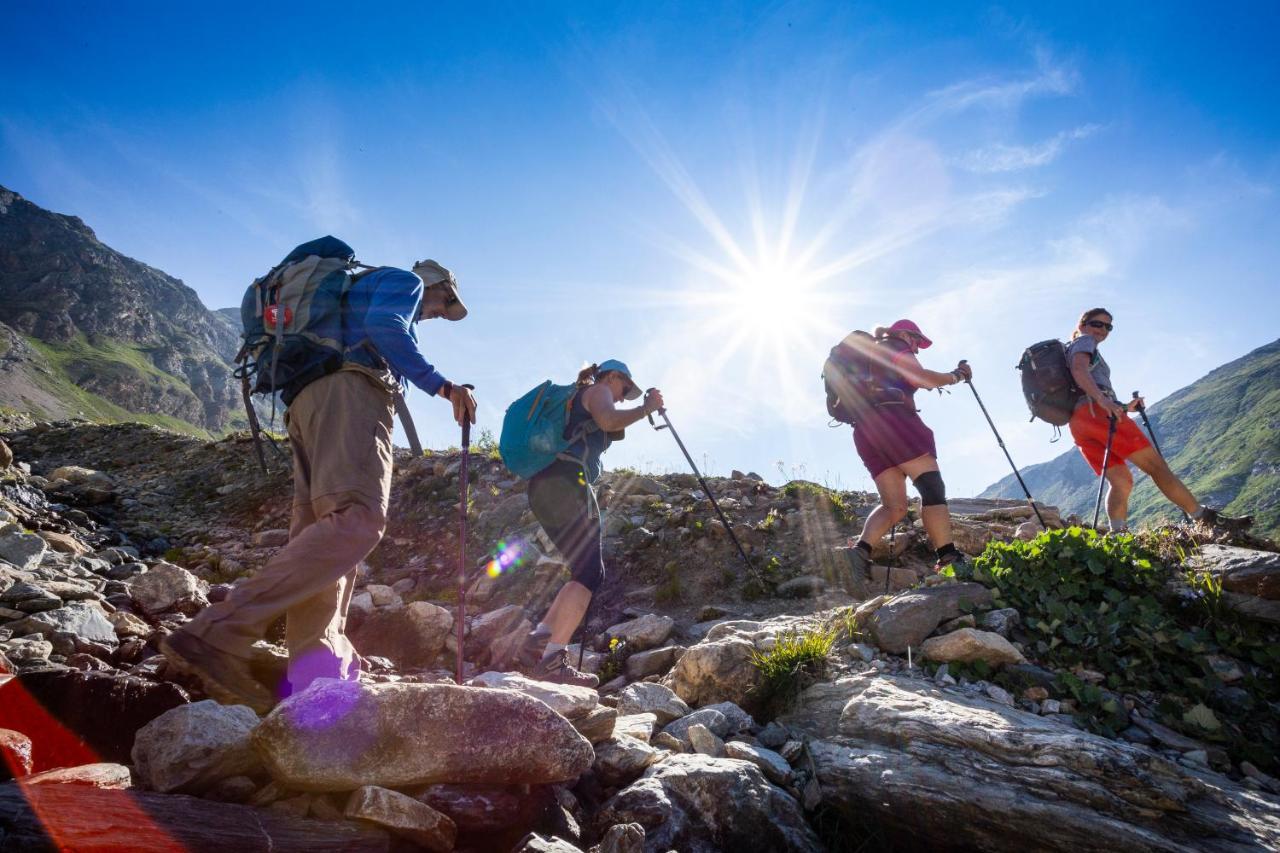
(703, 805)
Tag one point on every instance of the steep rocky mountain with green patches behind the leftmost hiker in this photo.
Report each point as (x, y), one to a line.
(89, 332)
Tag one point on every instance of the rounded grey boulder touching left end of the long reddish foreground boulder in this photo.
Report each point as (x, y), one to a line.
(194, 746)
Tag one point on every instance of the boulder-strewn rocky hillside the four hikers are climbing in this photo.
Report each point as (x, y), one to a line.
(790, 709)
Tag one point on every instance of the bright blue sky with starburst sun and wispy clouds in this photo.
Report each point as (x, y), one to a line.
(712, 193)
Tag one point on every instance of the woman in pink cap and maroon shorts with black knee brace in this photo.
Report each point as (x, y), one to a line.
(895, 444)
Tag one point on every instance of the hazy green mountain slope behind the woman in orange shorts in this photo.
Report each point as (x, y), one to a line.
(1222, 435)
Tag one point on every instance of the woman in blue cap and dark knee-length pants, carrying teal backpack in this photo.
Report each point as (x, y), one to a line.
(564, 501)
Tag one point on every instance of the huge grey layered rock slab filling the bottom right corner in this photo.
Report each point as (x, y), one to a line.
(938, 770)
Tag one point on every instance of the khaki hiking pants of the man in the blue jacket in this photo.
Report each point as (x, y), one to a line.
(341, 432)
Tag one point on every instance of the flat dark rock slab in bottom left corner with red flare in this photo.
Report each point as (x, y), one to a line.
(84, 818)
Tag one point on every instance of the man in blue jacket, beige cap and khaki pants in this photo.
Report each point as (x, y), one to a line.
(341, 434)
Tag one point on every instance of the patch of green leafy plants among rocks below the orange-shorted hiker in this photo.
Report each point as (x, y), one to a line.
(1110, 605)
